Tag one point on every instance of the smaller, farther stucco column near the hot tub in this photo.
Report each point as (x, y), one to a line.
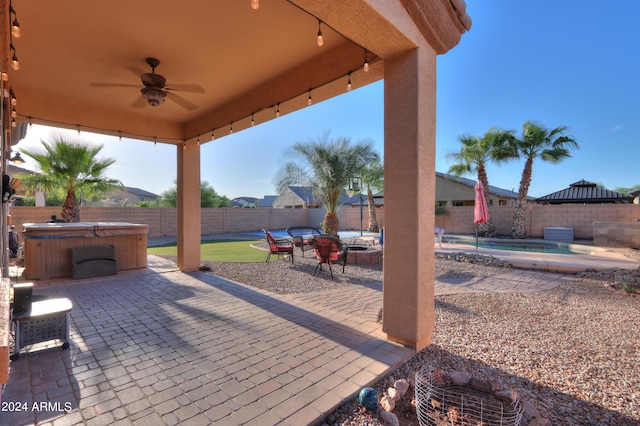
(189, 227)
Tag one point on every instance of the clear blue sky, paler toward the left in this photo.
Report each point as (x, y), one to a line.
(560, 63)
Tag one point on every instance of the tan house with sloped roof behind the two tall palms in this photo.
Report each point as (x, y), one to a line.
(454, 190)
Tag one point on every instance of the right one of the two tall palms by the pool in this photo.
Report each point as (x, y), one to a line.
(537, 142)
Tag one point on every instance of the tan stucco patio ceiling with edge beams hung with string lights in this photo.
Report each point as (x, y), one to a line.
(246, 61)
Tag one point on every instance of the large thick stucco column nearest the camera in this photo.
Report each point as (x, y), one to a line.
(409, 171)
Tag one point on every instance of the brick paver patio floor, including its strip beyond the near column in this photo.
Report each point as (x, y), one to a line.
(155, 347)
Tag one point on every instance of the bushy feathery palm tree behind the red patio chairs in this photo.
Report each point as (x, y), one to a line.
(327, 165)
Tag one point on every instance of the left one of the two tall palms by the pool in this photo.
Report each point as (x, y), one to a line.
(475, 153)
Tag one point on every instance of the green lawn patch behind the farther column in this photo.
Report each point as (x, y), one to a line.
(219, 251)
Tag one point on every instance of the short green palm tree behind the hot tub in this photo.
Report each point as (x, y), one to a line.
(69, 162)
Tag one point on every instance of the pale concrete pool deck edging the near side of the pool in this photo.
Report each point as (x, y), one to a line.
(549, 262)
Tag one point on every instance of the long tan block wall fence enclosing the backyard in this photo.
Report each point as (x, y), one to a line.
(457, 220)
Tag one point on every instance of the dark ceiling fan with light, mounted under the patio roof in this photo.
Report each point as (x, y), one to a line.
(155, 90)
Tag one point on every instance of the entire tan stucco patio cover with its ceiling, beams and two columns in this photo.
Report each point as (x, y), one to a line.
(101, 66)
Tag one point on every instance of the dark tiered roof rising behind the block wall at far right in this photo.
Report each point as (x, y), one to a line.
(585, 192)
